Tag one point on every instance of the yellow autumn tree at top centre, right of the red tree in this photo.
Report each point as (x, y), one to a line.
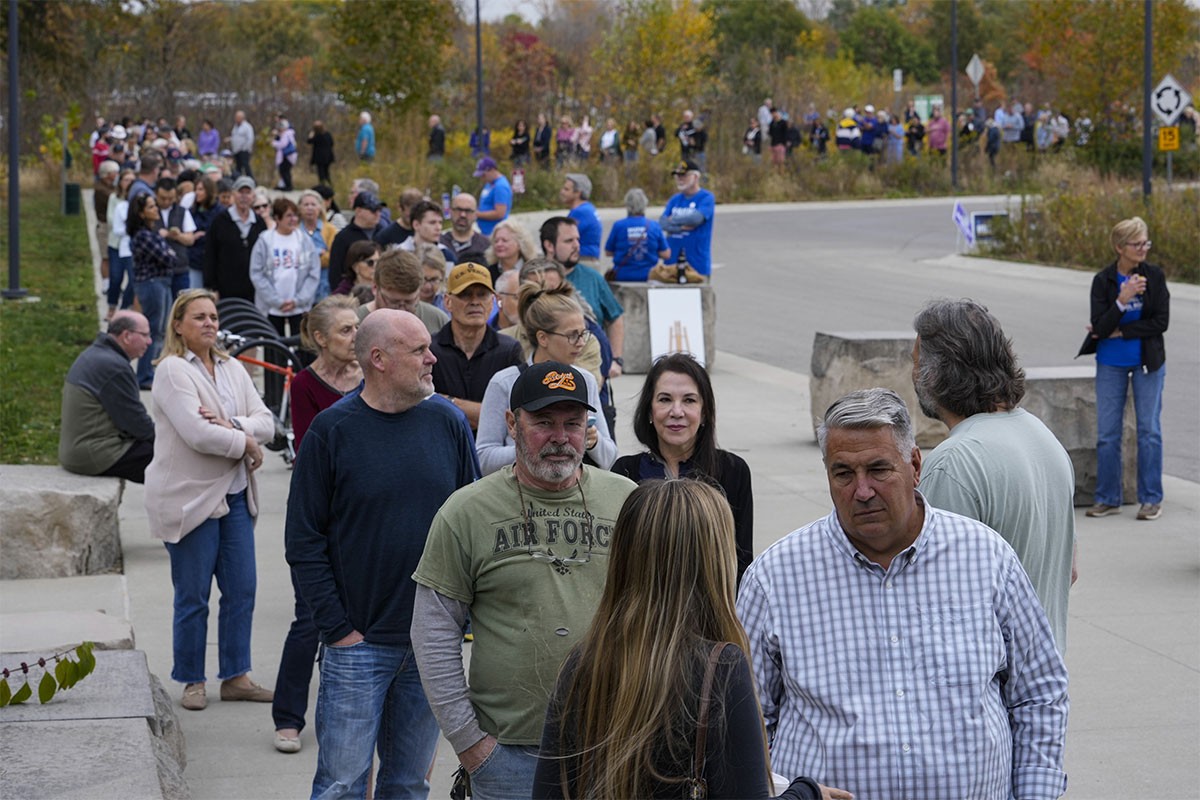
(657, 57)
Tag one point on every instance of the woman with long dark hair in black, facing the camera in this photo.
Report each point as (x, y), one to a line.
(676, 420)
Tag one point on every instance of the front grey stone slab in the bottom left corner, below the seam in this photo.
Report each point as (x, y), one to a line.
(69, 760)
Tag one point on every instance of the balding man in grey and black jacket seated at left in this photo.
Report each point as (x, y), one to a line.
(106, 430)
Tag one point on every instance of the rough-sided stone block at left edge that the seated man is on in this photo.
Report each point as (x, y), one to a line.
(58, 525)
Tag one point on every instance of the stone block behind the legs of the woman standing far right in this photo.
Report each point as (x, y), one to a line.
(1065, 400)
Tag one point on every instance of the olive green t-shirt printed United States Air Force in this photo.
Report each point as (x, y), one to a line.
(532, 575)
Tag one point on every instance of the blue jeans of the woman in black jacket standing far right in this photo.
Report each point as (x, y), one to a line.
(1112, 388)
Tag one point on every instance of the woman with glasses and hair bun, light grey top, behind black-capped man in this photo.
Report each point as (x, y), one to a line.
(554, 322)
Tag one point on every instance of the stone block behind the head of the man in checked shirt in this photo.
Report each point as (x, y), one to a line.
(847, 362)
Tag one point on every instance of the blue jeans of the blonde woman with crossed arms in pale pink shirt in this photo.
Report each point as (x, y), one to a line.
(221, 549)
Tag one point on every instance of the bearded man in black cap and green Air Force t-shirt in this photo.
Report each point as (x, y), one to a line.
(526, 552)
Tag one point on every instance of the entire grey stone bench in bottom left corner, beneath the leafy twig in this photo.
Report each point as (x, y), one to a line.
(113, 736)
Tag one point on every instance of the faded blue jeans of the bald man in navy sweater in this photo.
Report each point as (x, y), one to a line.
(370, 699)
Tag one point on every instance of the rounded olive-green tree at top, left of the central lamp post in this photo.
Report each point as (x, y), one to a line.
(388, 55)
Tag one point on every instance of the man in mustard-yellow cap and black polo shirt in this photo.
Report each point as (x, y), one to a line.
(469, 351)
